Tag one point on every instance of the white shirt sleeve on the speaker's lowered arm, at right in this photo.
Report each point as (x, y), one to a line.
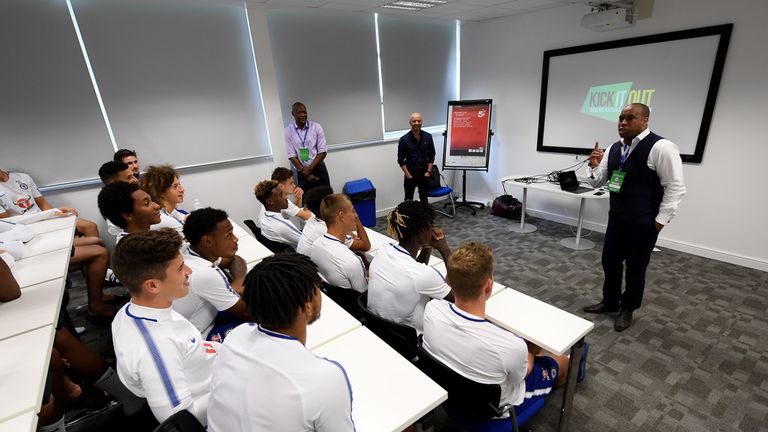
(664, 158)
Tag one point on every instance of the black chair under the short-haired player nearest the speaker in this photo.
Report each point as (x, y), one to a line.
(472, 405)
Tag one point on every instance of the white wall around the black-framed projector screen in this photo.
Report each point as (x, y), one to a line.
(722, 216)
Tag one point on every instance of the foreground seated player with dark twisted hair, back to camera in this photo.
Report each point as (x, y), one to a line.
(265, 378)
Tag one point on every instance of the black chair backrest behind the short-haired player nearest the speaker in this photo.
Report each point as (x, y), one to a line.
(467, 399)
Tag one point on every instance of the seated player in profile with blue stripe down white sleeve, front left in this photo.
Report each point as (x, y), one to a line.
(160, 355)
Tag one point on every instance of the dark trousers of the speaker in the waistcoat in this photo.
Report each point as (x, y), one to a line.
(630, 242)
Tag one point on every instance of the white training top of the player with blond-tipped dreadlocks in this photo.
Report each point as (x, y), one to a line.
(399, 286)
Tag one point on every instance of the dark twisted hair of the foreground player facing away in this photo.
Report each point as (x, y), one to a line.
(278, 286)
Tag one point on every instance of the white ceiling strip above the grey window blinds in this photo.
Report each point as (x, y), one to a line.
(465, 10)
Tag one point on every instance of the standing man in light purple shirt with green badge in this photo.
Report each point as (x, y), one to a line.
(306, 148)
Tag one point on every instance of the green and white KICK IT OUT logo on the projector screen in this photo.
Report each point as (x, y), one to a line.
(606, 101)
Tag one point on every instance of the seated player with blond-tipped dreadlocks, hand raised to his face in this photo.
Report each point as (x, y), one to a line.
(401, 282)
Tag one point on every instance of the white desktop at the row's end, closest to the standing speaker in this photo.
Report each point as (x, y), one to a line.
(547, 326)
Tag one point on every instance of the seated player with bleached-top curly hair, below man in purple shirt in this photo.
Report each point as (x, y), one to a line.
(274, 225)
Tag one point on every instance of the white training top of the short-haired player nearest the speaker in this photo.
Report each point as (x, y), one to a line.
(476, 348)
